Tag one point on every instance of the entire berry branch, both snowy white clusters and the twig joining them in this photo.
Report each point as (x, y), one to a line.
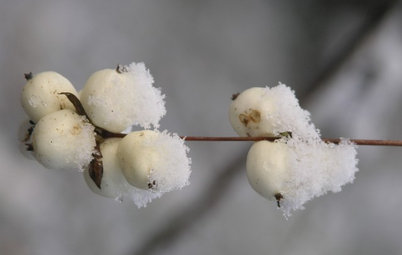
(91, 130)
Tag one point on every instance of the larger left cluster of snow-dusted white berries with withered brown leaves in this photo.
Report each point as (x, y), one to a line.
(72, 130)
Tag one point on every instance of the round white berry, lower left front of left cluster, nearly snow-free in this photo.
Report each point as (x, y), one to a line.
(63, 140)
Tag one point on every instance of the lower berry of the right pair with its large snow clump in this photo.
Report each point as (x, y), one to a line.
(295, 170)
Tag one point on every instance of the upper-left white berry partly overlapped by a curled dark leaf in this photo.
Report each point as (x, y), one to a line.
(40, 96)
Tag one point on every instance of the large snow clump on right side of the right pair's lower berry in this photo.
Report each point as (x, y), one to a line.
(316, 167)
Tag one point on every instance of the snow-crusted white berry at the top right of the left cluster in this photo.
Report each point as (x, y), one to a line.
(116, 100)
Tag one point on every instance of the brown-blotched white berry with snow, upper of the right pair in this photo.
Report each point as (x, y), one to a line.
(269, 112)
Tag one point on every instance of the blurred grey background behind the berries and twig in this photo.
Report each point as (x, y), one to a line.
(343, 59)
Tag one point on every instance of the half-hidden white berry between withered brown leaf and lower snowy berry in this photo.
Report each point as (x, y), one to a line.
(113, 184)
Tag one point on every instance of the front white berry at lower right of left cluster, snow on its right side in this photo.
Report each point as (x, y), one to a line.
(155, 161)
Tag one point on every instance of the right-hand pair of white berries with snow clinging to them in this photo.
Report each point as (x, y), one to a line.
(299, 165)
